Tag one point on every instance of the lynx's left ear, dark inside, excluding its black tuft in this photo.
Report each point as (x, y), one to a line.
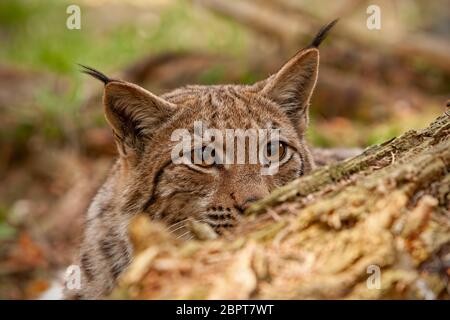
(134, 113)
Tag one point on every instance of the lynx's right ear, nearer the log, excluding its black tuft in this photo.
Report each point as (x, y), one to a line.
(292, 86)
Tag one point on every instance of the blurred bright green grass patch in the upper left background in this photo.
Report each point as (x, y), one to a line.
(37, 37)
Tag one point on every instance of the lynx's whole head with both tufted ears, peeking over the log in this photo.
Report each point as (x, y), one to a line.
(146, 177)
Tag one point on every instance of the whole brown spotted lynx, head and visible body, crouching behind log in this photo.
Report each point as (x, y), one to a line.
(145, 179)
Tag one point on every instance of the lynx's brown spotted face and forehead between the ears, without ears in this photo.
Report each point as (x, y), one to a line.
(218, 194)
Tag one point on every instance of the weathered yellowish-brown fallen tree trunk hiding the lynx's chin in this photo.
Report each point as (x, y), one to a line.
(374, 226)
